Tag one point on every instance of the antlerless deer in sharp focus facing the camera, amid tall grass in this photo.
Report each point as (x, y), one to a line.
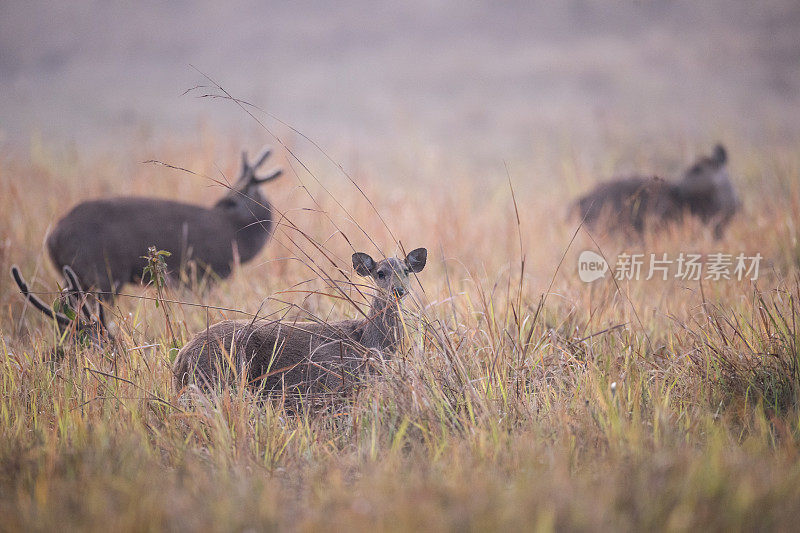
(303, 357)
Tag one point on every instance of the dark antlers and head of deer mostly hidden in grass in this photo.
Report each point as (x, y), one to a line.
(72, 312)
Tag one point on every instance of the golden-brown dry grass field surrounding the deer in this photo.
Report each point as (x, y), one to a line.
(524, 399)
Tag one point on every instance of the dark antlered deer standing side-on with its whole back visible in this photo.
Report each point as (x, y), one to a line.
(104, 240)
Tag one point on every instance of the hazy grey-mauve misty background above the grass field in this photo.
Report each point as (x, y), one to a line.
(486, 79)
